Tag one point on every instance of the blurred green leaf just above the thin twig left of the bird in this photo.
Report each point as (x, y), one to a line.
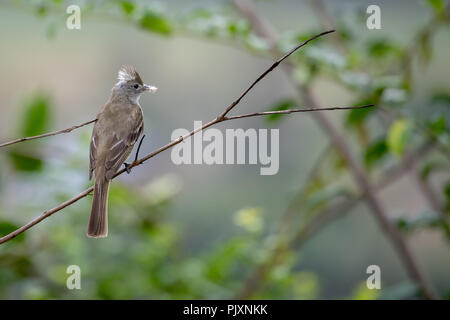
(37, 116)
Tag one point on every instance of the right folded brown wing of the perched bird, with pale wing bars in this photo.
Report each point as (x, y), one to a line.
(122, 144)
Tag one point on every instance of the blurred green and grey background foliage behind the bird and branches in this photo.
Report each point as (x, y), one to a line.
(225, 231)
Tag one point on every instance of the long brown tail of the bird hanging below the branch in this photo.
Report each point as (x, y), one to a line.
(98, 222)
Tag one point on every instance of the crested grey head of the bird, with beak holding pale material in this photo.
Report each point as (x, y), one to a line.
(131, 84)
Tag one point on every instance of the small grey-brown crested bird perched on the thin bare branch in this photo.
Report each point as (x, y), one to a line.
(119, 125)
